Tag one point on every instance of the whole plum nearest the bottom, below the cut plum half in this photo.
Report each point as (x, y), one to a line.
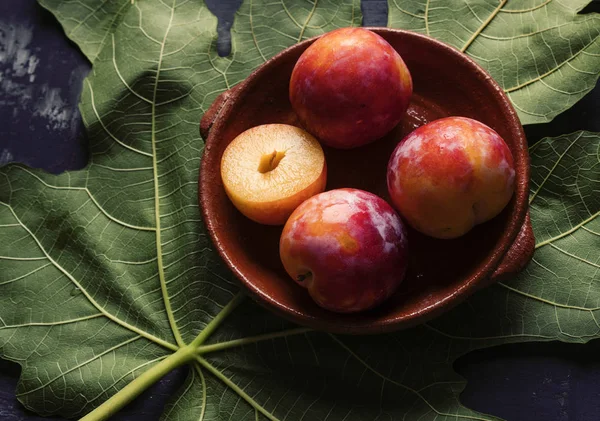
(348, 247)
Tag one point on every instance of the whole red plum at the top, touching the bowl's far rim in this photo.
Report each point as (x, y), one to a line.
(350, 87)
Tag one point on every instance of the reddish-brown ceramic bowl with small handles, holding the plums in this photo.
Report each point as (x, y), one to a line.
(441, 273)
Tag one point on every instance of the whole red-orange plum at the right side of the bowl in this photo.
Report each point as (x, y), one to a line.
(449, 175)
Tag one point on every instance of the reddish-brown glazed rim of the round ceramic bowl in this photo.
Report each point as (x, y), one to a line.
(463, 290)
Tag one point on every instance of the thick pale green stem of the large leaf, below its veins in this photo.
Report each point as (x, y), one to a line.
(141, 383)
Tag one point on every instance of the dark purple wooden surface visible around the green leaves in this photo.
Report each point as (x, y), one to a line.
(40, 82)
